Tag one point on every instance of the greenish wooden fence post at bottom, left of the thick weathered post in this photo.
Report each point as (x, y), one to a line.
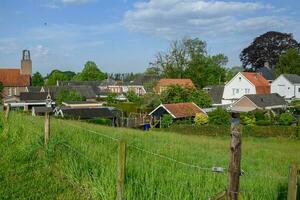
(121, 169)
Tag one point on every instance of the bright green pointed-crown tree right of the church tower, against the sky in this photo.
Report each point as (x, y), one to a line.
(90, 72)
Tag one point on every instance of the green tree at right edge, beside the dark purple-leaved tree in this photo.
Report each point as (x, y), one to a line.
(289, 62)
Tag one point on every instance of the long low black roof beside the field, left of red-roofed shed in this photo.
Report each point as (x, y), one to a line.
(87, 113)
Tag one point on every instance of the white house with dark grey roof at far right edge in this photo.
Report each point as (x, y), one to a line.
(287, 85)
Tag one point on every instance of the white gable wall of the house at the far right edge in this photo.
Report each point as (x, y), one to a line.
(283, 87)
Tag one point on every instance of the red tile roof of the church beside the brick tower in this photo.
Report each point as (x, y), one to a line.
(13, 77)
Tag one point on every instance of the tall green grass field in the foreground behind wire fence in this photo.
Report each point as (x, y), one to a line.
(80, 163)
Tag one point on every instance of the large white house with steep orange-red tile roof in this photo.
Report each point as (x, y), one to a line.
(244, 83)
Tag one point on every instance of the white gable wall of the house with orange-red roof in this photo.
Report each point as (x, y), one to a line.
(237, 87)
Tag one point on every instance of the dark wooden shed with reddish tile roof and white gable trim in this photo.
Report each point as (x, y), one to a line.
(178, 111)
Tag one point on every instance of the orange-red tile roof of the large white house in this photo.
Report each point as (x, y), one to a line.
(261, 84)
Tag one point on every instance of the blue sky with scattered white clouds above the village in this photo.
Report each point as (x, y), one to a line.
(125, 35)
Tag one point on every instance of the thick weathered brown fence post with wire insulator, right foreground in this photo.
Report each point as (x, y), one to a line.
(235, 163)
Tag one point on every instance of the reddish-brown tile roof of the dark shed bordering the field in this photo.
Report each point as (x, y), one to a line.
(181, 110)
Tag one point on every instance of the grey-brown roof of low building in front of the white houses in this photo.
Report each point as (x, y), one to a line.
(266, 100)
